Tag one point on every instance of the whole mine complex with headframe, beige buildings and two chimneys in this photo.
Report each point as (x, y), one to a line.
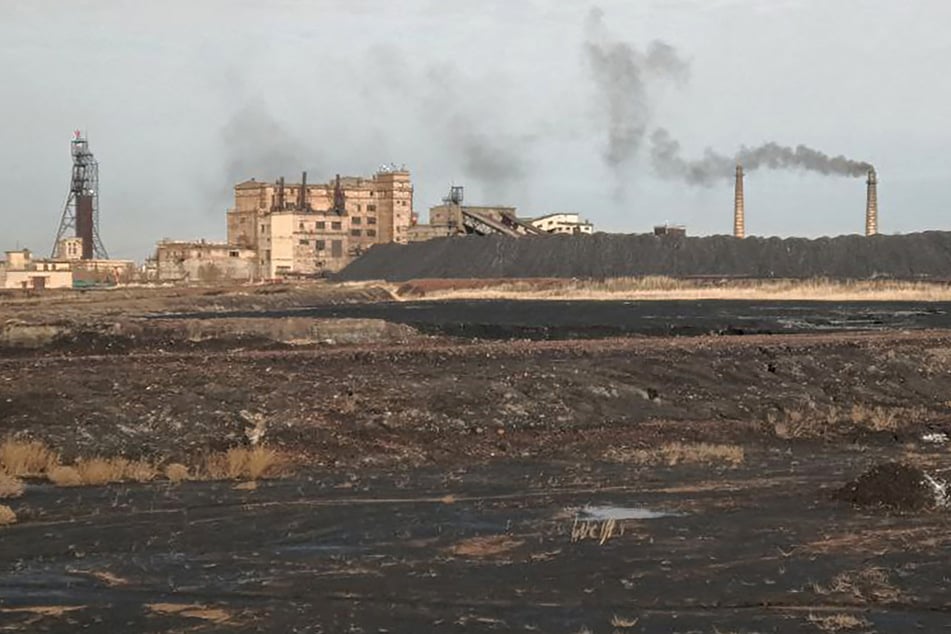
(280, 229)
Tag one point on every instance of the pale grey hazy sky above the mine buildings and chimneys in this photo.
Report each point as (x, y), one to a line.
(543, 105)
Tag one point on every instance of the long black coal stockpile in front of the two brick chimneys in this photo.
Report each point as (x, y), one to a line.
(913, 256)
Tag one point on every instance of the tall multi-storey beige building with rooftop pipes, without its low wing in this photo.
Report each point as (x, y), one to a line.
(301, 229)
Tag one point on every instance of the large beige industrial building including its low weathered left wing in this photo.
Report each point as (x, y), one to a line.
(281, 229)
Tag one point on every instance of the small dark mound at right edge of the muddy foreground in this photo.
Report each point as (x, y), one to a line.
(896, 486)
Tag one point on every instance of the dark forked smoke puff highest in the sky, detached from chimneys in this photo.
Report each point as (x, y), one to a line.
(620, 72)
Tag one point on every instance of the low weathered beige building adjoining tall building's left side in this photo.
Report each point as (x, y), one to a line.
(202, 262)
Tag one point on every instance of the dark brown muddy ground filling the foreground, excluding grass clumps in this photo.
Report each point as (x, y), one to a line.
(441, 484)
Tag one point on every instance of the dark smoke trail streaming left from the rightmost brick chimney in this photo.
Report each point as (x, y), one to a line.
(669, 163)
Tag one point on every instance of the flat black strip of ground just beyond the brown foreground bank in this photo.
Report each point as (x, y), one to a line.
(549, 319)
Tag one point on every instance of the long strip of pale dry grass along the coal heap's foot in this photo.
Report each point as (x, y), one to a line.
(667, 288)
